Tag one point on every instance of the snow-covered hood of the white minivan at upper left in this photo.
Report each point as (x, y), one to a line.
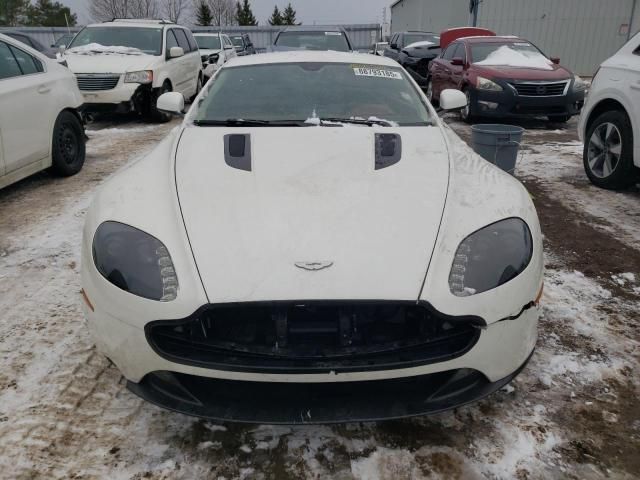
(107, 62)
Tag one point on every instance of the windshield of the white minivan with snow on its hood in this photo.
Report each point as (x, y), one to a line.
(147, 40)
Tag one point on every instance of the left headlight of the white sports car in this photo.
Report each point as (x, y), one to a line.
(135, 261)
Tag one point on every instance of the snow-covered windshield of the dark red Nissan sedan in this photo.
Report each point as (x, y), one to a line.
(516, 54)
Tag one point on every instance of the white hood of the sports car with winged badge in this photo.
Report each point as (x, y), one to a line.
(313, 196)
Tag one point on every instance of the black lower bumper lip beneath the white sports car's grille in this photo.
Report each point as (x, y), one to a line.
(287, 403)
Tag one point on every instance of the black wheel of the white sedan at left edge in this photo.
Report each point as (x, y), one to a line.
(68, 145)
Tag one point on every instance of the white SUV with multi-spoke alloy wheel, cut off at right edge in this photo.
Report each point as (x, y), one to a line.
(610, 120)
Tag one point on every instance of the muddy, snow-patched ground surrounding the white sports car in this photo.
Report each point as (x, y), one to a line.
(573, 412)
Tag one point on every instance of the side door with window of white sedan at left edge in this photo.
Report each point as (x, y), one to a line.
(26, 101)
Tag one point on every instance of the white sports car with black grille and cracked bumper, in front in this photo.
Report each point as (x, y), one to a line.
(312, 245)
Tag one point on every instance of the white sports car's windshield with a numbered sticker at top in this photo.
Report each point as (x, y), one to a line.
(309, 92)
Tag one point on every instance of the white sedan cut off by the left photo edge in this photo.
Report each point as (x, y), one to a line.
(39, 123)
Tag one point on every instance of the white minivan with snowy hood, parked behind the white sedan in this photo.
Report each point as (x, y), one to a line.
(125, 65)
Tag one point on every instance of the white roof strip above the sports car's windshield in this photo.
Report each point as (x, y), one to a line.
(312, 56)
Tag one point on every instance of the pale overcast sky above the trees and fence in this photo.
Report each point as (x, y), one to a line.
(308, 11)
